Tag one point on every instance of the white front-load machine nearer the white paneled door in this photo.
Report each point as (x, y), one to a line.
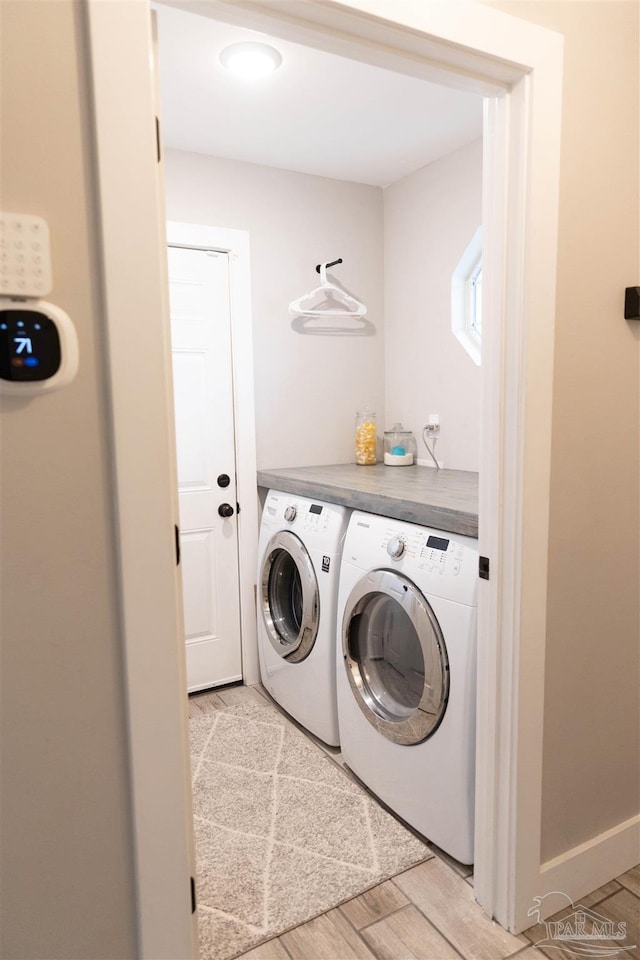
(299, 555)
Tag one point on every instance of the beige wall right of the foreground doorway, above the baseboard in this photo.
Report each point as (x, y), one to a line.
(591, 779)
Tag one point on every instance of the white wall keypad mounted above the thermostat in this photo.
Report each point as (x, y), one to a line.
(25, 259)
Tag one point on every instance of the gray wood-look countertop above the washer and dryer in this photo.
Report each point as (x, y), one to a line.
(445, 499)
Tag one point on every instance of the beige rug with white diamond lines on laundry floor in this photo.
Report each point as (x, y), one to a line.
(282, 833)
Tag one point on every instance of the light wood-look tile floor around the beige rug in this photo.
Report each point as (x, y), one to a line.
(429, 913)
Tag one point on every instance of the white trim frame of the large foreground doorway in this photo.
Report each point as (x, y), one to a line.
(518, 66)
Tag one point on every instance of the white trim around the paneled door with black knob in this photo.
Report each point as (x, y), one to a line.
(236, 244)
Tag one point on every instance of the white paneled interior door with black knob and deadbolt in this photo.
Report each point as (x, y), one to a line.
(203, 399)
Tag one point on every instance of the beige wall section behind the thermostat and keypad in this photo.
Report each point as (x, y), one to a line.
(67, 876)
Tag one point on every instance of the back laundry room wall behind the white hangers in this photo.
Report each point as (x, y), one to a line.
(307, 388)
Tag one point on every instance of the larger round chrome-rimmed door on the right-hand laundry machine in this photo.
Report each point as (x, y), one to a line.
(395, 657)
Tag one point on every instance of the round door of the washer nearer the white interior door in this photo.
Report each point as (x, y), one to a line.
(290, 599)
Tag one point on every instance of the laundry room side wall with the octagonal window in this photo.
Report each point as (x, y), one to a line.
(429, 219)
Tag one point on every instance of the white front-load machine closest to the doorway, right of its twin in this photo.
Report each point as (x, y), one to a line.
(406, 670)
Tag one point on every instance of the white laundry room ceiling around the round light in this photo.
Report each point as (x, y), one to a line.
(319, 113)
